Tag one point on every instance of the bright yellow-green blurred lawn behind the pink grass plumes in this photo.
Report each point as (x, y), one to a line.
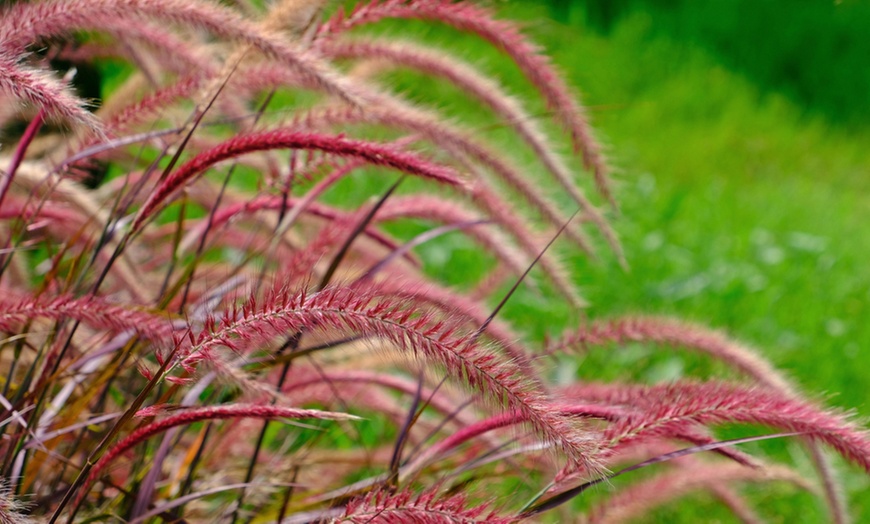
(741, 208)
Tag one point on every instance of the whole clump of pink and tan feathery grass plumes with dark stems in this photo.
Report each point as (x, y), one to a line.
(192, 331)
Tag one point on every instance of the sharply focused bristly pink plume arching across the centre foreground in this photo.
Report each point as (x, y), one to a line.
(410, 329)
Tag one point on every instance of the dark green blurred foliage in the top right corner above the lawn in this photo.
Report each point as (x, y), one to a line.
(815, 51)
